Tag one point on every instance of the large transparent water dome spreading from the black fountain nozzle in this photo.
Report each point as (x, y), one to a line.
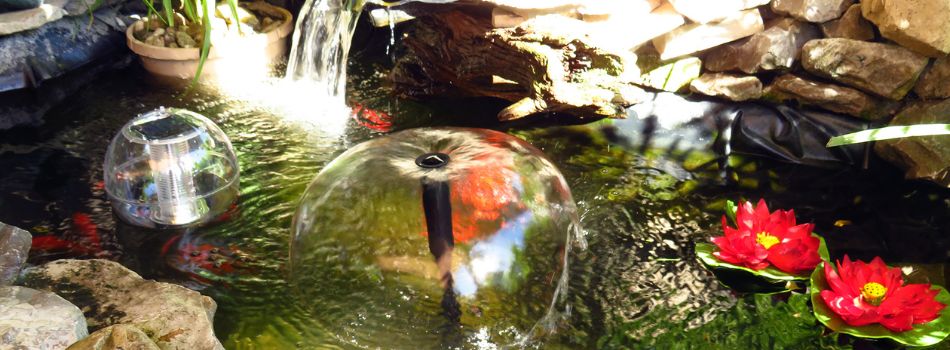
(443, 237)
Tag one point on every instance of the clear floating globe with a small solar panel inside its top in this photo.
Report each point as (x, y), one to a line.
(170, 168)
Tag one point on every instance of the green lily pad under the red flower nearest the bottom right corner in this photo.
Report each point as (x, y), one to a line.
(925, 334)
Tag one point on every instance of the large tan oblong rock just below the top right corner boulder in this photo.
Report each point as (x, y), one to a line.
(881, 69)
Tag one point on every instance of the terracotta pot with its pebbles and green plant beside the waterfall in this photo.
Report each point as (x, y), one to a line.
(202, 37)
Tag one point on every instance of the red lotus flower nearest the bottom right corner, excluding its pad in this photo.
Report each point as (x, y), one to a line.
(863, 294)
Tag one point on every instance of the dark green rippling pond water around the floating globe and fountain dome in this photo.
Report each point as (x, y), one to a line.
(637, 285)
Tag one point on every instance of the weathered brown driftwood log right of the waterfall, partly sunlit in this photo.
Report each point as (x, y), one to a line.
(543, 65)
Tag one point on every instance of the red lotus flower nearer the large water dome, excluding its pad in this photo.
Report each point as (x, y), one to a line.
(762, 239)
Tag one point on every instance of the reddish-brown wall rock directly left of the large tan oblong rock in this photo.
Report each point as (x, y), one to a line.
(776, 48)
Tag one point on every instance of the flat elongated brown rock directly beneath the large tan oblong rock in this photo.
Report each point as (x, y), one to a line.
(831, 97)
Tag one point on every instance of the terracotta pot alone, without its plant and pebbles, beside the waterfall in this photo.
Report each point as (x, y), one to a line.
(234, 53)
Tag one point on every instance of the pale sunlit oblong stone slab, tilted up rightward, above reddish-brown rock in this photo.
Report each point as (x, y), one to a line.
(696, 37)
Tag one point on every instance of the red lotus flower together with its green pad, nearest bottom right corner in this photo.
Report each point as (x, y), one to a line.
(870, 300)
